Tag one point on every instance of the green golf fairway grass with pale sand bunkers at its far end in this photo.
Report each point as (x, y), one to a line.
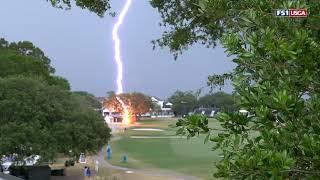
(191, 157)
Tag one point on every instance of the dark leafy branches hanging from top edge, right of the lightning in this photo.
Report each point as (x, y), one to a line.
(190, 24)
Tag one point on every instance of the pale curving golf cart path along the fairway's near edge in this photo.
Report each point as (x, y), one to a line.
(161, 174)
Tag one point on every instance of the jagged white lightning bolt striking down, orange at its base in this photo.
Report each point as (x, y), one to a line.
(117, 56)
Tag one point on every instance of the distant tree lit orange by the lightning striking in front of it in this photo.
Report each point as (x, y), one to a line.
(138, 102)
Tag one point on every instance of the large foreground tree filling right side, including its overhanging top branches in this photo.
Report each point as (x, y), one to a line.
(276, 79)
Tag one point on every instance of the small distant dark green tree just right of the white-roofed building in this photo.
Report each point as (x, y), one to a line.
(183, 102)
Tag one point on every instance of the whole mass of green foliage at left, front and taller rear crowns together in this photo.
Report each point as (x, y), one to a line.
(38, 113)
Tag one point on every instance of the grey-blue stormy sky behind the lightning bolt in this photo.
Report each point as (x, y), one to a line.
(80, 46)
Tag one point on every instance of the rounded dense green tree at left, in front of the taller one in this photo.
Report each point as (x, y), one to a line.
(46, 120)
